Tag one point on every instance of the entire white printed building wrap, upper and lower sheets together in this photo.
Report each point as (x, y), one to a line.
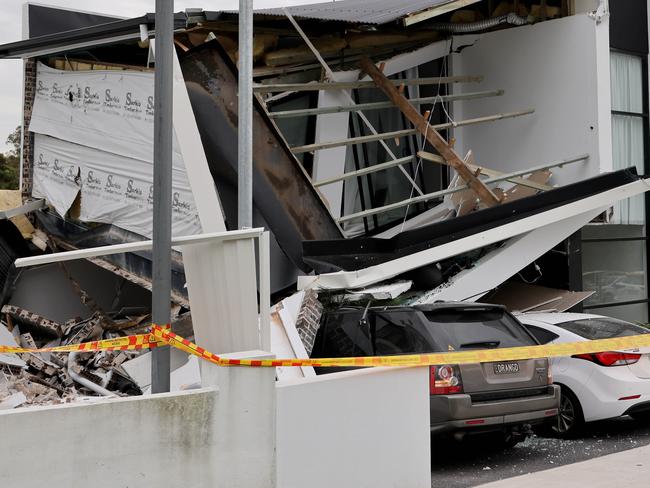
(94, 135)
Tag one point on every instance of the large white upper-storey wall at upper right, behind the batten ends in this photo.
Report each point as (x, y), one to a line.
(561, 69)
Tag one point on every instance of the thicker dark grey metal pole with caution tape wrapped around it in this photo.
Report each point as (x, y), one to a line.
(162, 192)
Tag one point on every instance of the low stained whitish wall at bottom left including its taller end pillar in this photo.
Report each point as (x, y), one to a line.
(207, 438)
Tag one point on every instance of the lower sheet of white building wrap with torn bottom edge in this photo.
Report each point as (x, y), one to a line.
(114, 189)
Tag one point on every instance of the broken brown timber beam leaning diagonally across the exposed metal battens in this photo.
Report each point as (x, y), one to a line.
(432, 136)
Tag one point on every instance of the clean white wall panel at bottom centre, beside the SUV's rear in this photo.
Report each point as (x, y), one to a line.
(362, 428)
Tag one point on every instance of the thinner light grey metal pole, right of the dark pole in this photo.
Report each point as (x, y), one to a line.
(245, 123)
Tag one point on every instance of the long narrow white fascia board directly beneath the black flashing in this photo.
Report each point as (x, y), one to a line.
(375, 274)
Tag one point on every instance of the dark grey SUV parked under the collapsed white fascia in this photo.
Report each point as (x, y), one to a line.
(504, 396)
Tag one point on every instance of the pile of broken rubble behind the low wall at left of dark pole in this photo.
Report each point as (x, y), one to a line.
(51, 378)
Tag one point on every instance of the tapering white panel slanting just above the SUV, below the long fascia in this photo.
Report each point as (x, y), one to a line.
(497, 266)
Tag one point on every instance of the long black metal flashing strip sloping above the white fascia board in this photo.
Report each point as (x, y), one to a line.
(354, 254)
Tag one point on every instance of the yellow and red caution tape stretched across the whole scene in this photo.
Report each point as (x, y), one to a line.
(163, 336)
